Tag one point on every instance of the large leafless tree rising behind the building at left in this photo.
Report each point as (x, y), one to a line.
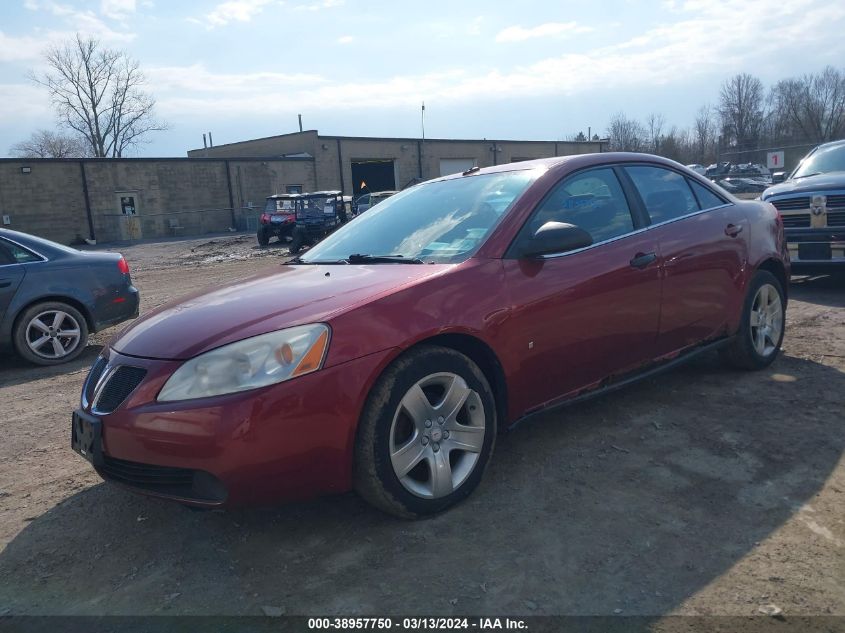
(98, 92)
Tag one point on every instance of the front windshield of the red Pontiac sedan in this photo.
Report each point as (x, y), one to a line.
(443, 221)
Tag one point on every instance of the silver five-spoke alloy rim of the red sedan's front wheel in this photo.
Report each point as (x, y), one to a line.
(437, 435)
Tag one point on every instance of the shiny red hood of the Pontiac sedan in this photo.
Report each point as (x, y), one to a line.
(291, 295)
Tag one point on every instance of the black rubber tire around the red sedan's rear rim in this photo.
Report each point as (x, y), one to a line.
(742, 352)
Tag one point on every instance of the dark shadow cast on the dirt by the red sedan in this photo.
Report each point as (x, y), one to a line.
(634, 502)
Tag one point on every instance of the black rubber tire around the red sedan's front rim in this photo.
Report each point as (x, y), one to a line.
(374, 476)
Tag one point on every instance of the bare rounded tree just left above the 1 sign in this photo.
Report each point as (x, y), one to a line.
(741, 109)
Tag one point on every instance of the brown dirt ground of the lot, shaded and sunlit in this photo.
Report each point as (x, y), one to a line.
(703, 491)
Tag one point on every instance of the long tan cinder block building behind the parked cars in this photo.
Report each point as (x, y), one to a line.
(215, 188)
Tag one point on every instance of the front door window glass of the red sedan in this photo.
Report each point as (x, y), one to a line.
(592, 200)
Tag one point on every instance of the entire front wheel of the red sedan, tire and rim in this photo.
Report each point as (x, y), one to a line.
(426, 433)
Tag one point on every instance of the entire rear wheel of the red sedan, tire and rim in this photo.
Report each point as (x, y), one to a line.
(758, 340)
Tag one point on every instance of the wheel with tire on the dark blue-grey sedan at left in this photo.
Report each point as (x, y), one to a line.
(50, 333)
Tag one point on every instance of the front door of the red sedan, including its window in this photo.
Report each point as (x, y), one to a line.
(582, 316)
